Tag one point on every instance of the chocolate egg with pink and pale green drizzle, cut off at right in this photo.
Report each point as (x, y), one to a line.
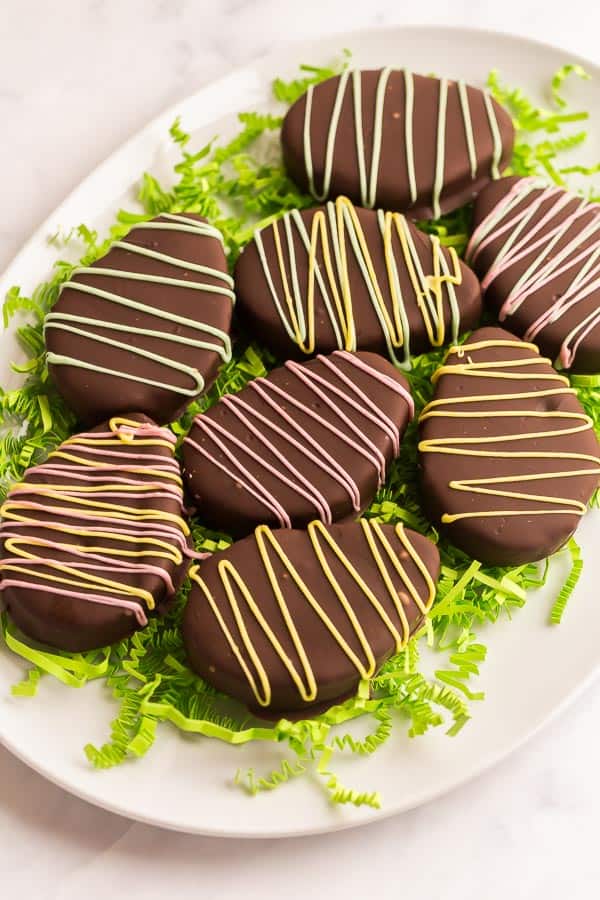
(536, 248)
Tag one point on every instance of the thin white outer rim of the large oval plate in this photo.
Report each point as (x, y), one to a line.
(158, 126)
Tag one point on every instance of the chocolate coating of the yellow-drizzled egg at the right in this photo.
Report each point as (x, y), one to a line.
(546, 405)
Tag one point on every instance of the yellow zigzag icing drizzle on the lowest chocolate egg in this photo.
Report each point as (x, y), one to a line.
(247, 609)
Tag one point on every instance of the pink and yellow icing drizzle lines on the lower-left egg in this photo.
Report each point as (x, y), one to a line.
(151, 530)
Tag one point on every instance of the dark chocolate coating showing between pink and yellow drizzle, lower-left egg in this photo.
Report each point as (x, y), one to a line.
(70, 623)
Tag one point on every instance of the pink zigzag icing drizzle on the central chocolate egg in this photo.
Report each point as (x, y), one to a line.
(284, 425)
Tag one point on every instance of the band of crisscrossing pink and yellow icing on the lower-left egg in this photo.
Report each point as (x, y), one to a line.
(98, 483)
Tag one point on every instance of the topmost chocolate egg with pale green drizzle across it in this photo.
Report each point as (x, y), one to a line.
(389, 138)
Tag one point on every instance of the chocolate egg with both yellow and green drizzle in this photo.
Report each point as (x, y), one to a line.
(341, 277)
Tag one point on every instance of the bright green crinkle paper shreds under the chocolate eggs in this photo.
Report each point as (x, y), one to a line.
(239, 186)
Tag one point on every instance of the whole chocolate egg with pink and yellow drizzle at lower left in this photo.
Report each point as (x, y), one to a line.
(94, 541)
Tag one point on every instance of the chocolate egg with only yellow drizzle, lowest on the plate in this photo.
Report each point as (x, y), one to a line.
(289, 622)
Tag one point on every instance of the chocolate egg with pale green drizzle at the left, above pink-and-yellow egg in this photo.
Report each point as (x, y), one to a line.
(147, 326)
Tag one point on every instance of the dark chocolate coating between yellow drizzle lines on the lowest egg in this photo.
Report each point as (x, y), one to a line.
(336, 677)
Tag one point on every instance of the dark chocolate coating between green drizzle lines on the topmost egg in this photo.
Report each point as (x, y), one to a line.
(393, 190)
